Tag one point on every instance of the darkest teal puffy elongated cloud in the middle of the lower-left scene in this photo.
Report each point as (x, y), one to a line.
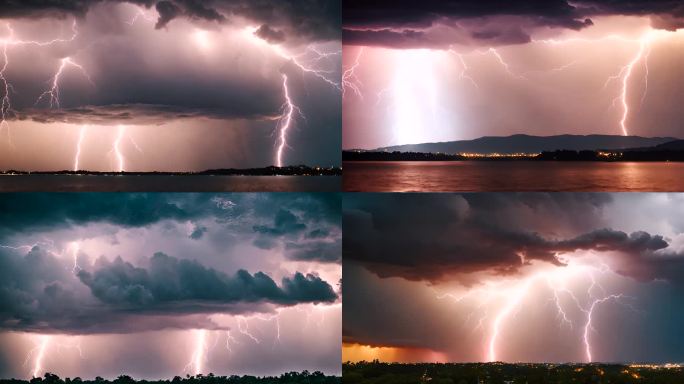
(170, 280)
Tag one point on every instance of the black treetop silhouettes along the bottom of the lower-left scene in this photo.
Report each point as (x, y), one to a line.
(285, 378)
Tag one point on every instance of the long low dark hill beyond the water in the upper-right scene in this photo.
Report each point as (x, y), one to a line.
(536, 144)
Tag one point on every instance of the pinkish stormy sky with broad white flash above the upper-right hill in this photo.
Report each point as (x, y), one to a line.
(433, 70)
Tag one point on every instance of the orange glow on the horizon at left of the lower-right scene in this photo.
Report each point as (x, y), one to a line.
(352, 352)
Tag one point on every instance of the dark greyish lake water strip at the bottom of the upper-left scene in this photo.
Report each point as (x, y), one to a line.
(165, 183)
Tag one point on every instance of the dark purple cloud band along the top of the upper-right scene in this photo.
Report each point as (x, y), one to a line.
(408, 24)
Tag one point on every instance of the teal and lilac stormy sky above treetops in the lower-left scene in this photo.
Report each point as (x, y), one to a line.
(159, 285)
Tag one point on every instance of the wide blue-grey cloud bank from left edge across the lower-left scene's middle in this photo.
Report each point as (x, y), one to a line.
(38, 294)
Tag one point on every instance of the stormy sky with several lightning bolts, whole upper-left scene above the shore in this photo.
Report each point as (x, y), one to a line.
(176, 85)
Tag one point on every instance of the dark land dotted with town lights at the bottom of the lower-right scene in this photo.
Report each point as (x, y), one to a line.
(501, 373)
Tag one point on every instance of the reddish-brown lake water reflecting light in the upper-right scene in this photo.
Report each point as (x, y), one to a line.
(404, 176)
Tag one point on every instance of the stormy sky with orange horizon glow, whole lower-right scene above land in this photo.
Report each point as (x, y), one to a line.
(529, 277)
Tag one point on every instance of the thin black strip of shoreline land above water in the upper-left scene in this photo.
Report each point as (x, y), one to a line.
(295, 170)
